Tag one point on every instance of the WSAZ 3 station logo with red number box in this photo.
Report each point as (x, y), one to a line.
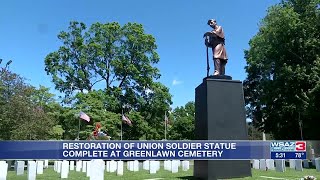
(292, 146)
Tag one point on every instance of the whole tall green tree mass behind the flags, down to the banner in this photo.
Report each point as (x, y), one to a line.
(104, 67)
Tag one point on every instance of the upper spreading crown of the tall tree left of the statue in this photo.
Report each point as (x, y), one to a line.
(122, 57)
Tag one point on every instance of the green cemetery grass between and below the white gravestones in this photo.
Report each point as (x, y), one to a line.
(49, 174)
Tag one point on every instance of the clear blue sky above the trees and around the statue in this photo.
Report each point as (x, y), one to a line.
(29, 32)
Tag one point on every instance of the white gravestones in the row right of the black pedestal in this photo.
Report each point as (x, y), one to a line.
(279, 165)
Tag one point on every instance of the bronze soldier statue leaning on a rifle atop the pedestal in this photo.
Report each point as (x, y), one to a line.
(215, 40)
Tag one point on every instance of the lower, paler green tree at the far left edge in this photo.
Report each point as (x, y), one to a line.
(20, 118)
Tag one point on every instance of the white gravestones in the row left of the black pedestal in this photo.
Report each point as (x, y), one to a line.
(93, 169)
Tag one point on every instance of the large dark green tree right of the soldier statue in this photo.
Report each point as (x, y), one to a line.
(283, 63)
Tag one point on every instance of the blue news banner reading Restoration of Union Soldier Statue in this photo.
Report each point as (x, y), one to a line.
(153, 150)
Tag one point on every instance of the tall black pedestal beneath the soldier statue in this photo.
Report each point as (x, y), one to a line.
(220, 115)
